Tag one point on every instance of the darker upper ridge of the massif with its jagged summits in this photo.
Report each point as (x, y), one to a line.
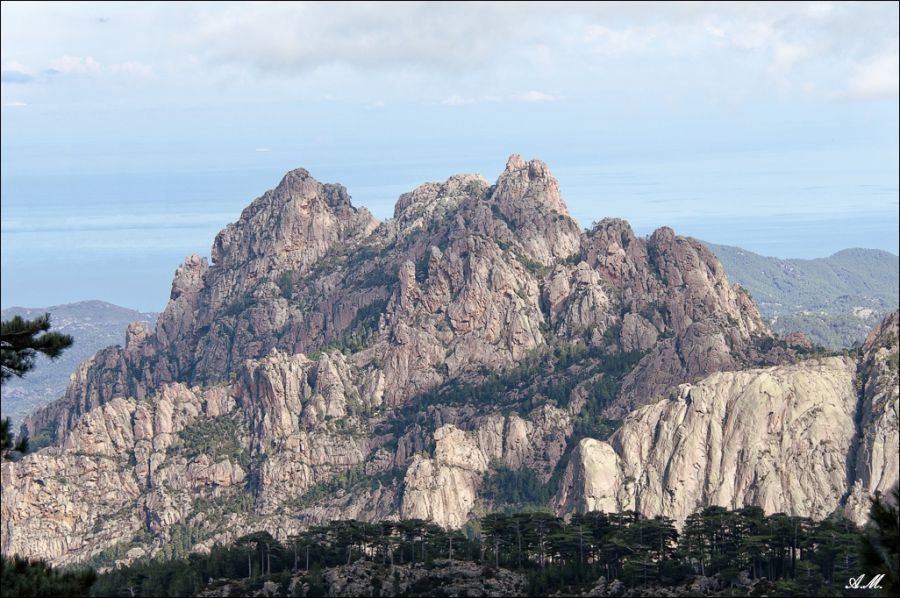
(467, 276)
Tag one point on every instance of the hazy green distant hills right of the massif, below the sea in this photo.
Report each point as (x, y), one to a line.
(835, 301)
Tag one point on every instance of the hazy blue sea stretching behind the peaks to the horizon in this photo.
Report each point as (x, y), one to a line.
(119, 236)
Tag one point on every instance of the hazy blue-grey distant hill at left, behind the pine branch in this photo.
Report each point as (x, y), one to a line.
(93, 324)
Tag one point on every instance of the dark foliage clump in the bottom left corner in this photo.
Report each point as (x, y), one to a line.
(21, 577)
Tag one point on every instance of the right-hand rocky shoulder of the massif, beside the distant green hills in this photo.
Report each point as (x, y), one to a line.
(677, 304)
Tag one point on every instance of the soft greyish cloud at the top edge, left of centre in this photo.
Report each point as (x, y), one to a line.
(300, 38)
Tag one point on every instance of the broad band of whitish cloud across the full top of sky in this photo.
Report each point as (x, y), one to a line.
(445, 50)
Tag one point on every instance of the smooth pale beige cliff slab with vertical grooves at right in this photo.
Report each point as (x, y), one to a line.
(784, 438)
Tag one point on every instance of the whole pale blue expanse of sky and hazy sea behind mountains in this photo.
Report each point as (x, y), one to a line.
(132, 133)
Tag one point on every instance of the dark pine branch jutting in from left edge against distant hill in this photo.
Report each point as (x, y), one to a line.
(21, 340)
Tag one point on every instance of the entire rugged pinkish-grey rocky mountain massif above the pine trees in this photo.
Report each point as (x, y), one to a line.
(328, 366)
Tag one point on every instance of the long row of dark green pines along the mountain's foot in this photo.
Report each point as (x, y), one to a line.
(787, 555)
